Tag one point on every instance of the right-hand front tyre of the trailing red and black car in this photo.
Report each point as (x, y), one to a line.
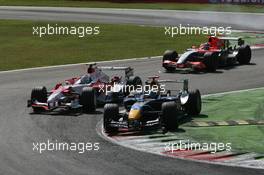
(211, 61)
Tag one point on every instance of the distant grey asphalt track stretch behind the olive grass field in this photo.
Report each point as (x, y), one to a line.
(131, 16)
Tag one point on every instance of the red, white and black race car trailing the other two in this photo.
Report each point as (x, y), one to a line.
(218, 51)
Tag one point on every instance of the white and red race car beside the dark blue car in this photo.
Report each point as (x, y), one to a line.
(95, 87)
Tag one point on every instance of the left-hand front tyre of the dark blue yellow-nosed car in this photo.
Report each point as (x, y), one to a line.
(111, 111)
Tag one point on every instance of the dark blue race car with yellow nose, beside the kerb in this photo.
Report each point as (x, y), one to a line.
(154, 110)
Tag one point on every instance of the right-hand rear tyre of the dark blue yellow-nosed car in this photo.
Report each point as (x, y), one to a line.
(194, 103)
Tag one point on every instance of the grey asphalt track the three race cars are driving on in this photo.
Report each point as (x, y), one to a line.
(19, 129)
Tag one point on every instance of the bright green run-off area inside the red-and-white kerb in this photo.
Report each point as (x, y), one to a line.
(242, 105)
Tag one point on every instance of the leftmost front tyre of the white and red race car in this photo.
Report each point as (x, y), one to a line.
(39, 94)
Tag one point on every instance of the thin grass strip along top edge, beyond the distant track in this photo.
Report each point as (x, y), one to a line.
(169, 6)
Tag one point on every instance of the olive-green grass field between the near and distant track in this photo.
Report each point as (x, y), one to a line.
(21, 49)
